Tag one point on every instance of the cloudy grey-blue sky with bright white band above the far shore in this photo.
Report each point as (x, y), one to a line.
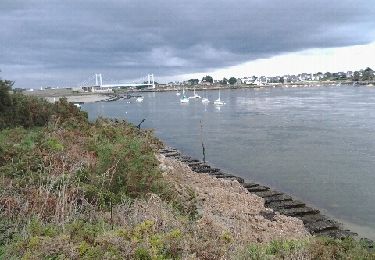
(63, 43)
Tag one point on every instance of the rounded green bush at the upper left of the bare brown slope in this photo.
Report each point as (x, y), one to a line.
(126, 165)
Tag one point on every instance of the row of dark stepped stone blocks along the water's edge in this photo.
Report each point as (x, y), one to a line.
(280, 203)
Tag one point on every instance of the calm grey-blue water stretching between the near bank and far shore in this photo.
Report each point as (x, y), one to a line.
(317, 144)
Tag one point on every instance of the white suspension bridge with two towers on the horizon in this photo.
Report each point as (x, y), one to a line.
(98, 86)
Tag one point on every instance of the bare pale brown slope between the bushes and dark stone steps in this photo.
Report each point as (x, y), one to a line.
(227, 205)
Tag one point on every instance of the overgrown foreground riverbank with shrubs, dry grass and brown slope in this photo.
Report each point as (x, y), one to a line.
(99, 192)
